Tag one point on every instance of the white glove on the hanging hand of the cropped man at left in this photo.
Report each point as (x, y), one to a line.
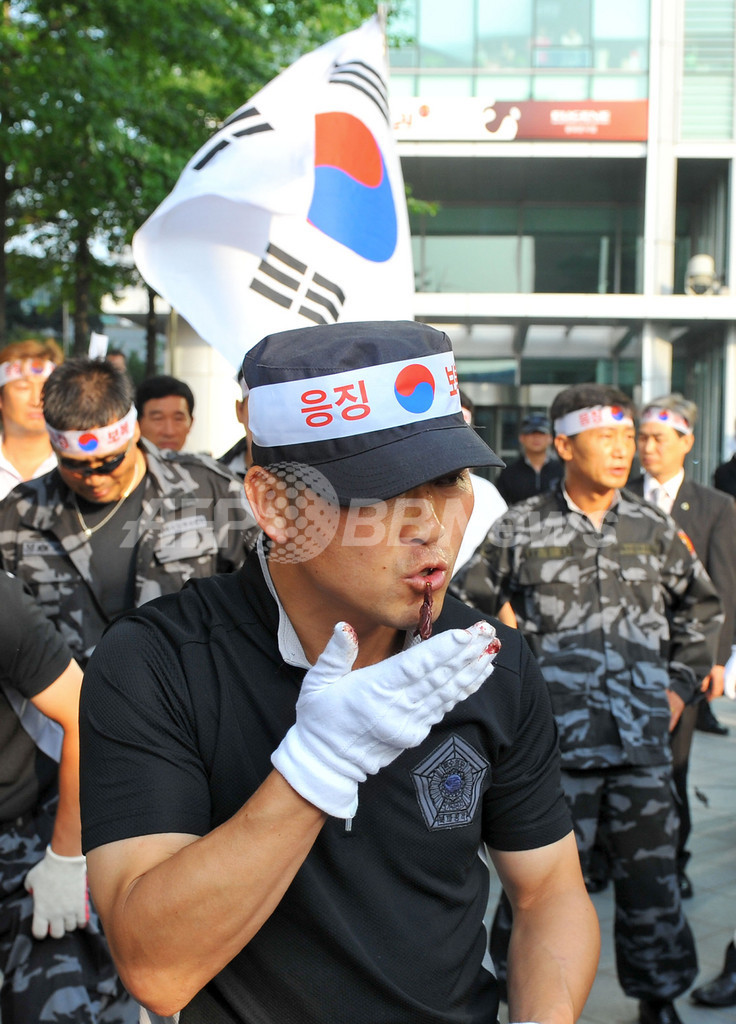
(60, 895)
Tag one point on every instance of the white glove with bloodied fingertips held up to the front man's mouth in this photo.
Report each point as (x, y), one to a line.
(351, 724)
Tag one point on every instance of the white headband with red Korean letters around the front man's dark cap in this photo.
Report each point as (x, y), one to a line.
(355, 402)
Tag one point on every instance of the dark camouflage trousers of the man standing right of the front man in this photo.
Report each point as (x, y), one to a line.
(636, 809)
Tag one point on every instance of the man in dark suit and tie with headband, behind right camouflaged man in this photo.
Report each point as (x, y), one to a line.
(709, 519)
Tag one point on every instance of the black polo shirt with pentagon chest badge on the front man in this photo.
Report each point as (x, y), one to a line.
(183, 705)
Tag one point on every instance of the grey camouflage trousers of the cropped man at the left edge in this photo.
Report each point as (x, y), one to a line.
(71, 980)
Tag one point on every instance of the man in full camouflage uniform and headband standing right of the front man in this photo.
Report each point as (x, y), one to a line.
(624, 622)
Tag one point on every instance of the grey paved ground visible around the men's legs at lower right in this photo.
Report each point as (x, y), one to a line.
(712, 912)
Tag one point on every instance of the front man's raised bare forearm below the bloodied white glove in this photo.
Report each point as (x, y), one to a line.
(178, 909)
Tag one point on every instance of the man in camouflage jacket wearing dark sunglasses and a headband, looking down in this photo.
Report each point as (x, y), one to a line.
(118, 523)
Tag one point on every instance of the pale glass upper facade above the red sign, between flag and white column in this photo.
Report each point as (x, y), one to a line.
(529, 50)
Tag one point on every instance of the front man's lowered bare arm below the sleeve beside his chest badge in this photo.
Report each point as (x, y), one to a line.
(555, 943)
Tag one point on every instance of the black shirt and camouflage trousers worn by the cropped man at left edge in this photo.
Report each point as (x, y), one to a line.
(72, 978)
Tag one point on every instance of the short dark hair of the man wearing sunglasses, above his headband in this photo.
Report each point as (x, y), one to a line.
(84, 394)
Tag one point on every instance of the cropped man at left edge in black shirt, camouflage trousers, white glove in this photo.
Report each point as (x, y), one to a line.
(55, 963)
